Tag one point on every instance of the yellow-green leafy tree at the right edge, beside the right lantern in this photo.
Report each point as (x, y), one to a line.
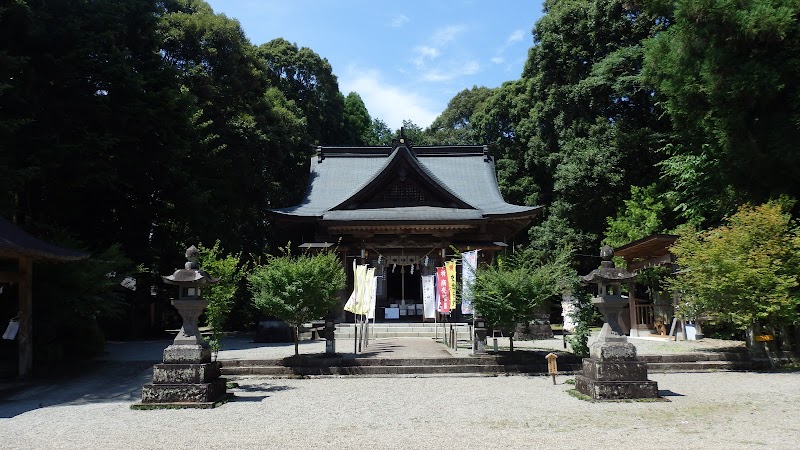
(744, 272)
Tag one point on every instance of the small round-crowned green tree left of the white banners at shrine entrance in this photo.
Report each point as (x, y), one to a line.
(297, 289)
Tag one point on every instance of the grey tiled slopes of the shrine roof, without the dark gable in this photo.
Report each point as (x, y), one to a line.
(463, 171)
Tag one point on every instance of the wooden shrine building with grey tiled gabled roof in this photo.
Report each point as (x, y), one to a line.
(402, 209)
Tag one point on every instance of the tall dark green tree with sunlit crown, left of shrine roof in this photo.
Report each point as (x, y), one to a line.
(249, 145)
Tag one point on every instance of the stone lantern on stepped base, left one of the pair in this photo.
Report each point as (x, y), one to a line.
(187, 378)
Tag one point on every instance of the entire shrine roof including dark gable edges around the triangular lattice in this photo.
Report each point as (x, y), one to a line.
(462, 178)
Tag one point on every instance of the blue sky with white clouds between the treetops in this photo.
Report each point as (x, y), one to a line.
(406, 59)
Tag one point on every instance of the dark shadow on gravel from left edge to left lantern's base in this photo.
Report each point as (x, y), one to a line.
(99, 382)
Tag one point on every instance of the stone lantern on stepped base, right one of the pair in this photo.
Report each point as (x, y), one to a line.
(612, 371)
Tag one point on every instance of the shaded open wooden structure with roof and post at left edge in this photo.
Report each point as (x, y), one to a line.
(19, 249)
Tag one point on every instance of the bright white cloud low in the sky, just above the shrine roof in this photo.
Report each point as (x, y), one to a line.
(387, 102)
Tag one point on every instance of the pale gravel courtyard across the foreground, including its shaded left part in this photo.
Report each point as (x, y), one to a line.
(705, 410)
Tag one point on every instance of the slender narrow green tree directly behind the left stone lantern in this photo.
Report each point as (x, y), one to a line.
(220, 295)
